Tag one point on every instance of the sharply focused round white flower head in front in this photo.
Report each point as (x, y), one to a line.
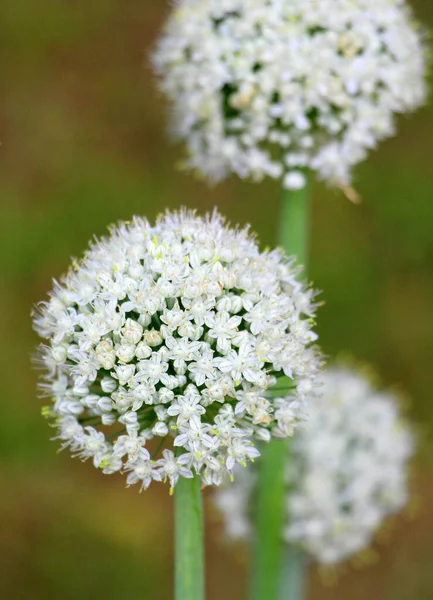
(176, 331)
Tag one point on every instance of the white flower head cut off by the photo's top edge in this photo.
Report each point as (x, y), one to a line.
(274, 87)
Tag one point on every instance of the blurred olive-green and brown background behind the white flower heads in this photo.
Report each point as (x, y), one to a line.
(84, 144)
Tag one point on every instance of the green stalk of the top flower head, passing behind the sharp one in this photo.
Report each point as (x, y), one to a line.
(271, 509)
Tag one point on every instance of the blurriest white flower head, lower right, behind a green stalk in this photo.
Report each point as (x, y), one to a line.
(346, 474)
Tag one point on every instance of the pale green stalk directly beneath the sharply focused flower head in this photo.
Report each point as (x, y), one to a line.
(189, 551)
